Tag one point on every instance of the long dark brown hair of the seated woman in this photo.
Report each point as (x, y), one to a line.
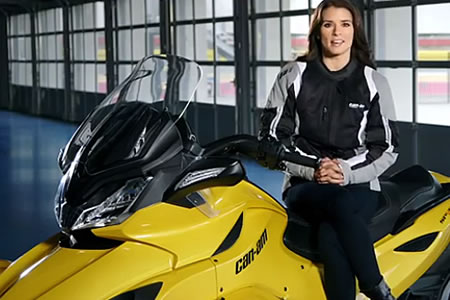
(360, 47)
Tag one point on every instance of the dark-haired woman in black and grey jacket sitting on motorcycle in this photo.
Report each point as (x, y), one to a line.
(332, 104)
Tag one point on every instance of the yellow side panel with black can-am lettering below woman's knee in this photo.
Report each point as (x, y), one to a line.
(275, 270)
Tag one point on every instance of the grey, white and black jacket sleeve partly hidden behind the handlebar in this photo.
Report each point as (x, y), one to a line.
(279, 119)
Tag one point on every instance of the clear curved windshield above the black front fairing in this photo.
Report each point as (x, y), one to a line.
(165, 82)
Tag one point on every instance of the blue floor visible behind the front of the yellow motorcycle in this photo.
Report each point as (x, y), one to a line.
(29, 176)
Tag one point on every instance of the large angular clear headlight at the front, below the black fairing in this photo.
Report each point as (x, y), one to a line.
(109, 211)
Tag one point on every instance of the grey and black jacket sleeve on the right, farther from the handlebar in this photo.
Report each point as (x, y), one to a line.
(380, 136)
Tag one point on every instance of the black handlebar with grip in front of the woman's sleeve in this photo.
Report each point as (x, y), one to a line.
(265, 152)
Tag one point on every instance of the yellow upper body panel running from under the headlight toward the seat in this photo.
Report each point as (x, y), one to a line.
(188, 232)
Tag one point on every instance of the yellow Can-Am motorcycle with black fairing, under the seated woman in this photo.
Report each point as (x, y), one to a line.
(146, 212)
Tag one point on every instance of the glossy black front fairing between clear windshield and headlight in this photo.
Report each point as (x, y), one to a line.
(135, 141)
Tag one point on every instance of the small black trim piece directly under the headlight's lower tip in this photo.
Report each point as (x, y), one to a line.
(85, 239)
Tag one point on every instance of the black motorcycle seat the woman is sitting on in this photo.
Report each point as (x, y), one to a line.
(404, 196)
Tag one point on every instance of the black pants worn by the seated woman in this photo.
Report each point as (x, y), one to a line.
(341, 215)
